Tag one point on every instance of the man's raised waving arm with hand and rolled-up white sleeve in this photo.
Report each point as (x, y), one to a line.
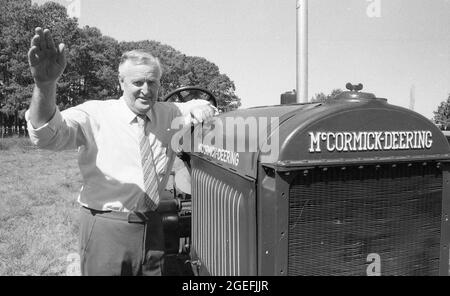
(48, 128)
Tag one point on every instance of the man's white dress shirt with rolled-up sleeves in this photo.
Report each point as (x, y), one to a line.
(106, 136)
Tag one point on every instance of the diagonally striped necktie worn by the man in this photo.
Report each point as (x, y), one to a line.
(150, 199)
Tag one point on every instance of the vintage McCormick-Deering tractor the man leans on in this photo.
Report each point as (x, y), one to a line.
(351, 186)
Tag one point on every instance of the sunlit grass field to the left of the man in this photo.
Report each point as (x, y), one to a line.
(38, 209)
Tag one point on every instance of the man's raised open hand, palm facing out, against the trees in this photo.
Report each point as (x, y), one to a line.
(47, 62)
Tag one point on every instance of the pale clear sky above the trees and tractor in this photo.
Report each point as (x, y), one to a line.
(390, 46)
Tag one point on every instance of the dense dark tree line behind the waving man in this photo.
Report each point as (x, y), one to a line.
(92, 69)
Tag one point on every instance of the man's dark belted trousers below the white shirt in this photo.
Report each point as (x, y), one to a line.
(113, 243)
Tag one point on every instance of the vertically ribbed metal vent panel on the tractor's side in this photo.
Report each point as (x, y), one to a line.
(215, 224)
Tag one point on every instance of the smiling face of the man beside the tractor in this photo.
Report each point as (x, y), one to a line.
(140, 84)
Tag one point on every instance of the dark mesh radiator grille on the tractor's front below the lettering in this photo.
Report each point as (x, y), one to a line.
(338, 217)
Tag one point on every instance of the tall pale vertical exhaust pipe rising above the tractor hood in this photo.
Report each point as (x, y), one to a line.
(302, 51)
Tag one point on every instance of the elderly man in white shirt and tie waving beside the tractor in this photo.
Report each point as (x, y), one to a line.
(124, 155)
